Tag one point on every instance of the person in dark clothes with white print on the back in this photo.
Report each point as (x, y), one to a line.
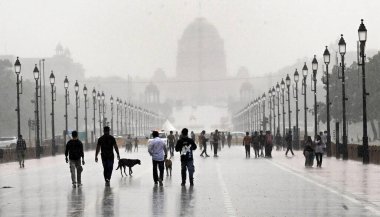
(185, 146)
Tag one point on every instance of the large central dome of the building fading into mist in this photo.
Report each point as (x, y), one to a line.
(201, 60)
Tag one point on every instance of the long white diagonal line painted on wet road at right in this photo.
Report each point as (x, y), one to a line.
(330, 189)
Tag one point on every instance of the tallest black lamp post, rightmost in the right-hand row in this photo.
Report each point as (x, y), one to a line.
(362, 32)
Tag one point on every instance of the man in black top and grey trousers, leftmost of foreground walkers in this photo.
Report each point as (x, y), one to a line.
(74, 149)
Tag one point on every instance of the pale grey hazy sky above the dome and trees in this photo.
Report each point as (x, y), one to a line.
(117, 37)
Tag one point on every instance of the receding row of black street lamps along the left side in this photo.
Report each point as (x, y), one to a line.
(137, 120)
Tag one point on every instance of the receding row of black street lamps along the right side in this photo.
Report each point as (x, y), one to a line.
(253, 118)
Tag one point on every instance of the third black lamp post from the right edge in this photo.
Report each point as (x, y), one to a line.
(326, 59)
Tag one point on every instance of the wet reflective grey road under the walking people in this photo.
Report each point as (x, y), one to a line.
(230, 185)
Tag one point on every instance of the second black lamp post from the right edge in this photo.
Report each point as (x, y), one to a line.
(342, 51)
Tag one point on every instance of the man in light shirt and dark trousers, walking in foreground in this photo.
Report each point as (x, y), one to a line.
(157, 149)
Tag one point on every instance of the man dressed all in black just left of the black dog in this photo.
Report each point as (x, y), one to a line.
(106, 144)
